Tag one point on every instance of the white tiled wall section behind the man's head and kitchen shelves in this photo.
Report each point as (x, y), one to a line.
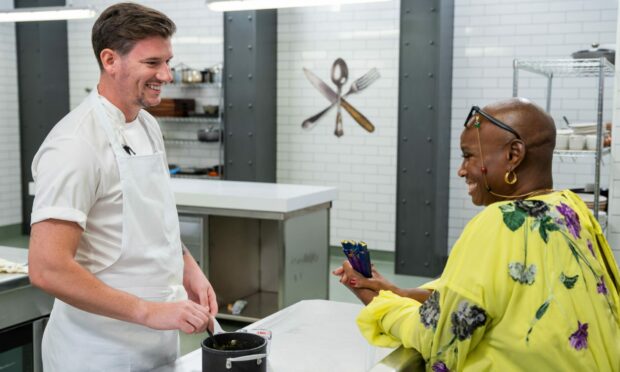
(197, 44)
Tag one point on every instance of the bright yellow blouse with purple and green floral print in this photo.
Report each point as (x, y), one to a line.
(531, 285)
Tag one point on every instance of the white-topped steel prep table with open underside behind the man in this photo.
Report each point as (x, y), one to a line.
(262, 242)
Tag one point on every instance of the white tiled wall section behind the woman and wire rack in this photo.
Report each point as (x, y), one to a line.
(488, 35)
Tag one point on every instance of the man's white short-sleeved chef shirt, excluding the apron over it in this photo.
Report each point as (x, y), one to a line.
(76, 178)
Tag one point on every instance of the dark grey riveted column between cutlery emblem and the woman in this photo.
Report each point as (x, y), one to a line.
(423, 136)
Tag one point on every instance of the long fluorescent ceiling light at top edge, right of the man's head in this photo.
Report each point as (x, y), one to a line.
(233, 5)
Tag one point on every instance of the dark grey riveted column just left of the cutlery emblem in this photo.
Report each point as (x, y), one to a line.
(250, 42)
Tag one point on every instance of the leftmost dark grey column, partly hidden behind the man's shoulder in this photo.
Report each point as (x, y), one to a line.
(43, 84)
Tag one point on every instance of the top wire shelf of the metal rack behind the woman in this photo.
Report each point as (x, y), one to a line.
(589, 67)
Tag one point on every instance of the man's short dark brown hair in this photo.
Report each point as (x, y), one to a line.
(121, 25)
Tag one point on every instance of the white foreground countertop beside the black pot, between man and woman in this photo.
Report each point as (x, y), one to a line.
(317, 335)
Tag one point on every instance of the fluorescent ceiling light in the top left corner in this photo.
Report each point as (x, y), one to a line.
(47, 13)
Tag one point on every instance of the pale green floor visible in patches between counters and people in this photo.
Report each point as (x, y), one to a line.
(384, 262)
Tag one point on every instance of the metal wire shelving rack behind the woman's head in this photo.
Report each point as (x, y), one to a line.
(598, 68)
